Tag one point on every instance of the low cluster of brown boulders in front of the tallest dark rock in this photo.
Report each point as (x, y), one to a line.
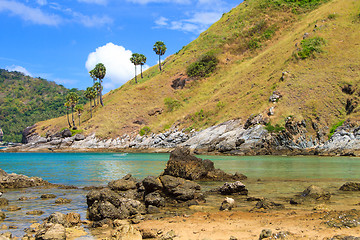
(127, 197)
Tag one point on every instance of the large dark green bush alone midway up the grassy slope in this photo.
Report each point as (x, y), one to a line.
(204, 66)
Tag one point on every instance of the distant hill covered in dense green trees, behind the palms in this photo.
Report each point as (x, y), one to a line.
(25, 100)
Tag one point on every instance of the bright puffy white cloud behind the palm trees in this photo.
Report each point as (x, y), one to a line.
(116, 59)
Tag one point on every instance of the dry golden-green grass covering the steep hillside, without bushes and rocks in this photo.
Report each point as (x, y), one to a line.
(245, 78)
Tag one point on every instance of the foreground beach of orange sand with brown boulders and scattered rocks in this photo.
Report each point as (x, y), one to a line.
(175, 206)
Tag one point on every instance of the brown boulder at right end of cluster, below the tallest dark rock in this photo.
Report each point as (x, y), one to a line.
(180, 189)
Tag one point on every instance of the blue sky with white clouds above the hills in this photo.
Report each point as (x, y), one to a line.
(62, 40)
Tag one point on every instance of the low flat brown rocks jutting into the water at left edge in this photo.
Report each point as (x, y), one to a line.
(14, 180)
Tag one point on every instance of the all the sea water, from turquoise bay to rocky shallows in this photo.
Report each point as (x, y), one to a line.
(274, 177)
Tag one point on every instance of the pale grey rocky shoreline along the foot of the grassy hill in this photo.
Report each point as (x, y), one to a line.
(233, 137)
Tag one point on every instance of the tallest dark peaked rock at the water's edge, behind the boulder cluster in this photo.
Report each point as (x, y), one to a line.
(182, 164)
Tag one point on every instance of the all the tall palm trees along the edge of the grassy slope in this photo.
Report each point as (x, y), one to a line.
(98, 74)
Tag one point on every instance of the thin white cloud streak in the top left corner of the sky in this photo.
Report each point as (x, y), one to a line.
(33, 15)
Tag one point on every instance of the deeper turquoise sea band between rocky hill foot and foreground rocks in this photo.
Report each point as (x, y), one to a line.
(85, 169)
